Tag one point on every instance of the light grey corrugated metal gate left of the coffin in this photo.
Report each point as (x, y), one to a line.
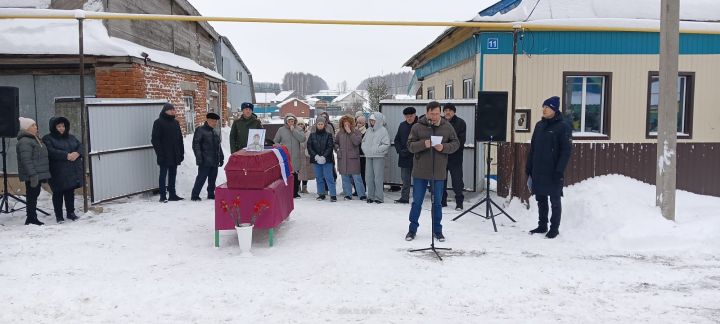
(122, 159)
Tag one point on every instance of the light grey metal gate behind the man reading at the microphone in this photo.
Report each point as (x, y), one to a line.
(473, 169)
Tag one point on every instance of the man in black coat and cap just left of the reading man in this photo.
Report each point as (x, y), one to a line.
(404, 155)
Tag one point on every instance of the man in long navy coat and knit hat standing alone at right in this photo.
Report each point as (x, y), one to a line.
(549, 155)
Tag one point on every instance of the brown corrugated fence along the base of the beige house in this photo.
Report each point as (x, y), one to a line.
(697, 165)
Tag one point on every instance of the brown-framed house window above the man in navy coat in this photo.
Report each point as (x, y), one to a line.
(586, 104)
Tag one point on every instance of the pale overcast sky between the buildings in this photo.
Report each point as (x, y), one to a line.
(335, 53)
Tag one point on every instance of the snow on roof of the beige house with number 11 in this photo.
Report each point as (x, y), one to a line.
(532, 10)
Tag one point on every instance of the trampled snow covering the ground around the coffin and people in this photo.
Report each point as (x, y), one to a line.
(616, 260)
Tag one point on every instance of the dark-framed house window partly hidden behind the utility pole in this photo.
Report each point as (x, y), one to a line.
(685, 85)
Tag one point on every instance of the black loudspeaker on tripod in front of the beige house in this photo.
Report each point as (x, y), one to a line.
(491, 116)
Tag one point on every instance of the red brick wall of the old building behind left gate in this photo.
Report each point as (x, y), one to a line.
(151, 82)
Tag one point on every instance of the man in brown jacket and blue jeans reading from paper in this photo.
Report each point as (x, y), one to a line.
(430, 165)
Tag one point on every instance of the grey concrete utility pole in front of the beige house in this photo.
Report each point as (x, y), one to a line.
(668, 107)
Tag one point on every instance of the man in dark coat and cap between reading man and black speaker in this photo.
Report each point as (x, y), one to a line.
(455, 159)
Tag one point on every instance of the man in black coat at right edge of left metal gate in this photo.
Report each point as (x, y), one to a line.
(168, 144)
